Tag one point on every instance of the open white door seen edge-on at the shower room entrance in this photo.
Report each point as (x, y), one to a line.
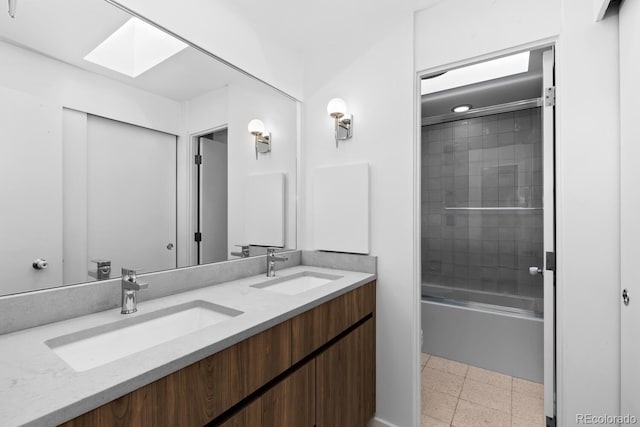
(548, 202)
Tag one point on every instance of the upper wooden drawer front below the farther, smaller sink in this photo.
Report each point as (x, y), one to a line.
(312, 329)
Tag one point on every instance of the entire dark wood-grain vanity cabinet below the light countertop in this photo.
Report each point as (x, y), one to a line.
(317, 369)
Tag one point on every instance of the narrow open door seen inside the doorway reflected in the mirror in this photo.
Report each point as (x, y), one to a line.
(213, 198)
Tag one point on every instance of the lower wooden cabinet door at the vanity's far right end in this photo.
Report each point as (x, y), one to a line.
(345, 388)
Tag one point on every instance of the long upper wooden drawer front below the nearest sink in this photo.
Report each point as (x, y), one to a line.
(197, 394)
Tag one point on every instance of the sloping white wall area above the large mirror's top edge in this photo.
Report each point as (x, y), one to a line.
(222, 28)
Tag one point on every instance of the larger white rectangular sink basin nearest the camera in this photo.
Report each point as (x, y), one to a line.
(98, 346)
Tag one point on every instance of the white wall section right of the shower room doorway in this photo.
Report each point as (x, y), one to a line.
(589, 213)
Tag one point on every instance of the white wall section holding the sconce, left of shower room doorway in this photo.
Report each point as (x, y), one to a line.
(375, 78)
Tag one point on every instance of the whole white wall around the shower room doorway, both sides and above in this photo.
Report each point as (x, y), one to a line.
(374, 78)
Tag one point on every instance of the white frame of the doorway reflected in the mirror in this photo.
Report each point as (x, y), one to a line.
(192, 190)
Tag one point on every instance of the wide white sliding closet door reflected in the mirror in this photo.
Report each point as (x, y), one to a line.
(131, 196)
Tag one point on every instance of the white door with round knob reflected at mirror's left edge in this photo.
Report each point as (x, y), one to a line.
(31, 192)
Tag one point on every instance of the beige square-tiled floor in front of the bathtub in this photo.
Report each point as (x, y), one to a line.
(460, 395)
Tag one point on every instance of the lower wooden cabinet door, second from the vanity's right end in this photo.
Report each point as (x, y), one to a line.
(291, 402)
